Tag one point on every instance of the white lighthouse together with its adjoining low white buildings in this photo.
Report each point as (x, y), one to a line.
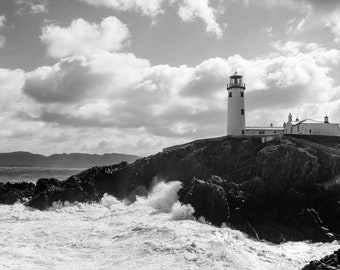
(236, 117)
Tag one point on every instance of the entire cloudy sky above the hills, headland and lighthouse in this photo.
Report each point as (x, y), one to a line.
(135, 76)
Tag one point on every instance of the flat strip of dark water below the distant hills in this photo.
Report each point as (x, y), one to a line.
(33, 174)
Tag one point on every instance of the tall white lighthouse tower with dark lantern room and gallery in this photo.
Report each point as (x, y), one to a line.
(236, 112)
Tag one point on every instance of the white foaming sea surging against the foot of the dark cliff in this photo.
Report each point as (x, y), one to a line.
(153, 233)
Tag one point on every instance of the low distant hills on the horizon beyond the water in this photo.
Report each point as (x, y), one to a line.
(73, 160)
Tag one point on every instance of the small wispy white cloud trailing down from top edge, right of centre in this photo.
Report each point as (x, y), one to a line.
(189, 10)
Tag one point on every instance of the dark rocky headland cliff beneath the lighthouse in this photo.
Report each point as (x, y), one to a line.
(279, 191)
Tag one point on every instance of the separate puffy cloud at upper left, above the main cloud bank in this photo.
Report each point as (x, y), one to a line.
(82, 37)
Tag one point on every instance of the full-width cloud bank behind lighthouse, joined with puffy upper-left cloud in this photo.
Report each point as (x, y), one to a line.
(140, 107)
